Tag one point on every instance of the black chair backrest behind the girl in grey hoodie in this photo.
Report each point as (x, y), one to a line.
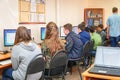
(35, 68)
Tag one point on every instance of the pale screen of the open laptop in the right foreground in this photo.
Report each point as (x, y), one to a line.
(107, 56)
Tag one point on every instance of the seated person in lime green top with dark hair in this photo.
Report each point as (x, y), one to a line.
(95, 37)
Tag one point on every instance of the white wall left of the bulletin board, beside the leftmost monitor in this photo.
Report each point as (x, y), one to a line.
(8, 17)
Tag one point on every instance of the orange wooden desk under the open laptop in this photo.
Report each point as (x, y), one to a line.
(90, 76)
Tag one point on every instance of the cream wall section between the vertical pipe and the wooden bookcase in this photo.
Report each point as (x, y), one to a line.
(71, 11)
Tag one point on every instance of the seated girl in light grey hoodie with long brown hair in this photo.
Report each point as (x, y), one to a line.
(23, 51)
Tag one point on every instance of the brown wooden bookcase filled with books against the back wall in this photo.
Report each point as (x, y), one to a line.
(93, 16)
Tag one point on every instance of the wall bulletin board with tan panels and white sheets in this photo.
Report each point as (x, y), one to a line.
(31, 11)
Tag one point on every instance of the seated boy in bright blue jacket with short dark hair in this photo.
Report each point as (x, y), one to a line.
(84, 35)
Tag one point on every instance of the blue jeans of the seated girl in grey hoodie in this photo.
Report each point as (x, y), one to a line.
(7, 74)
